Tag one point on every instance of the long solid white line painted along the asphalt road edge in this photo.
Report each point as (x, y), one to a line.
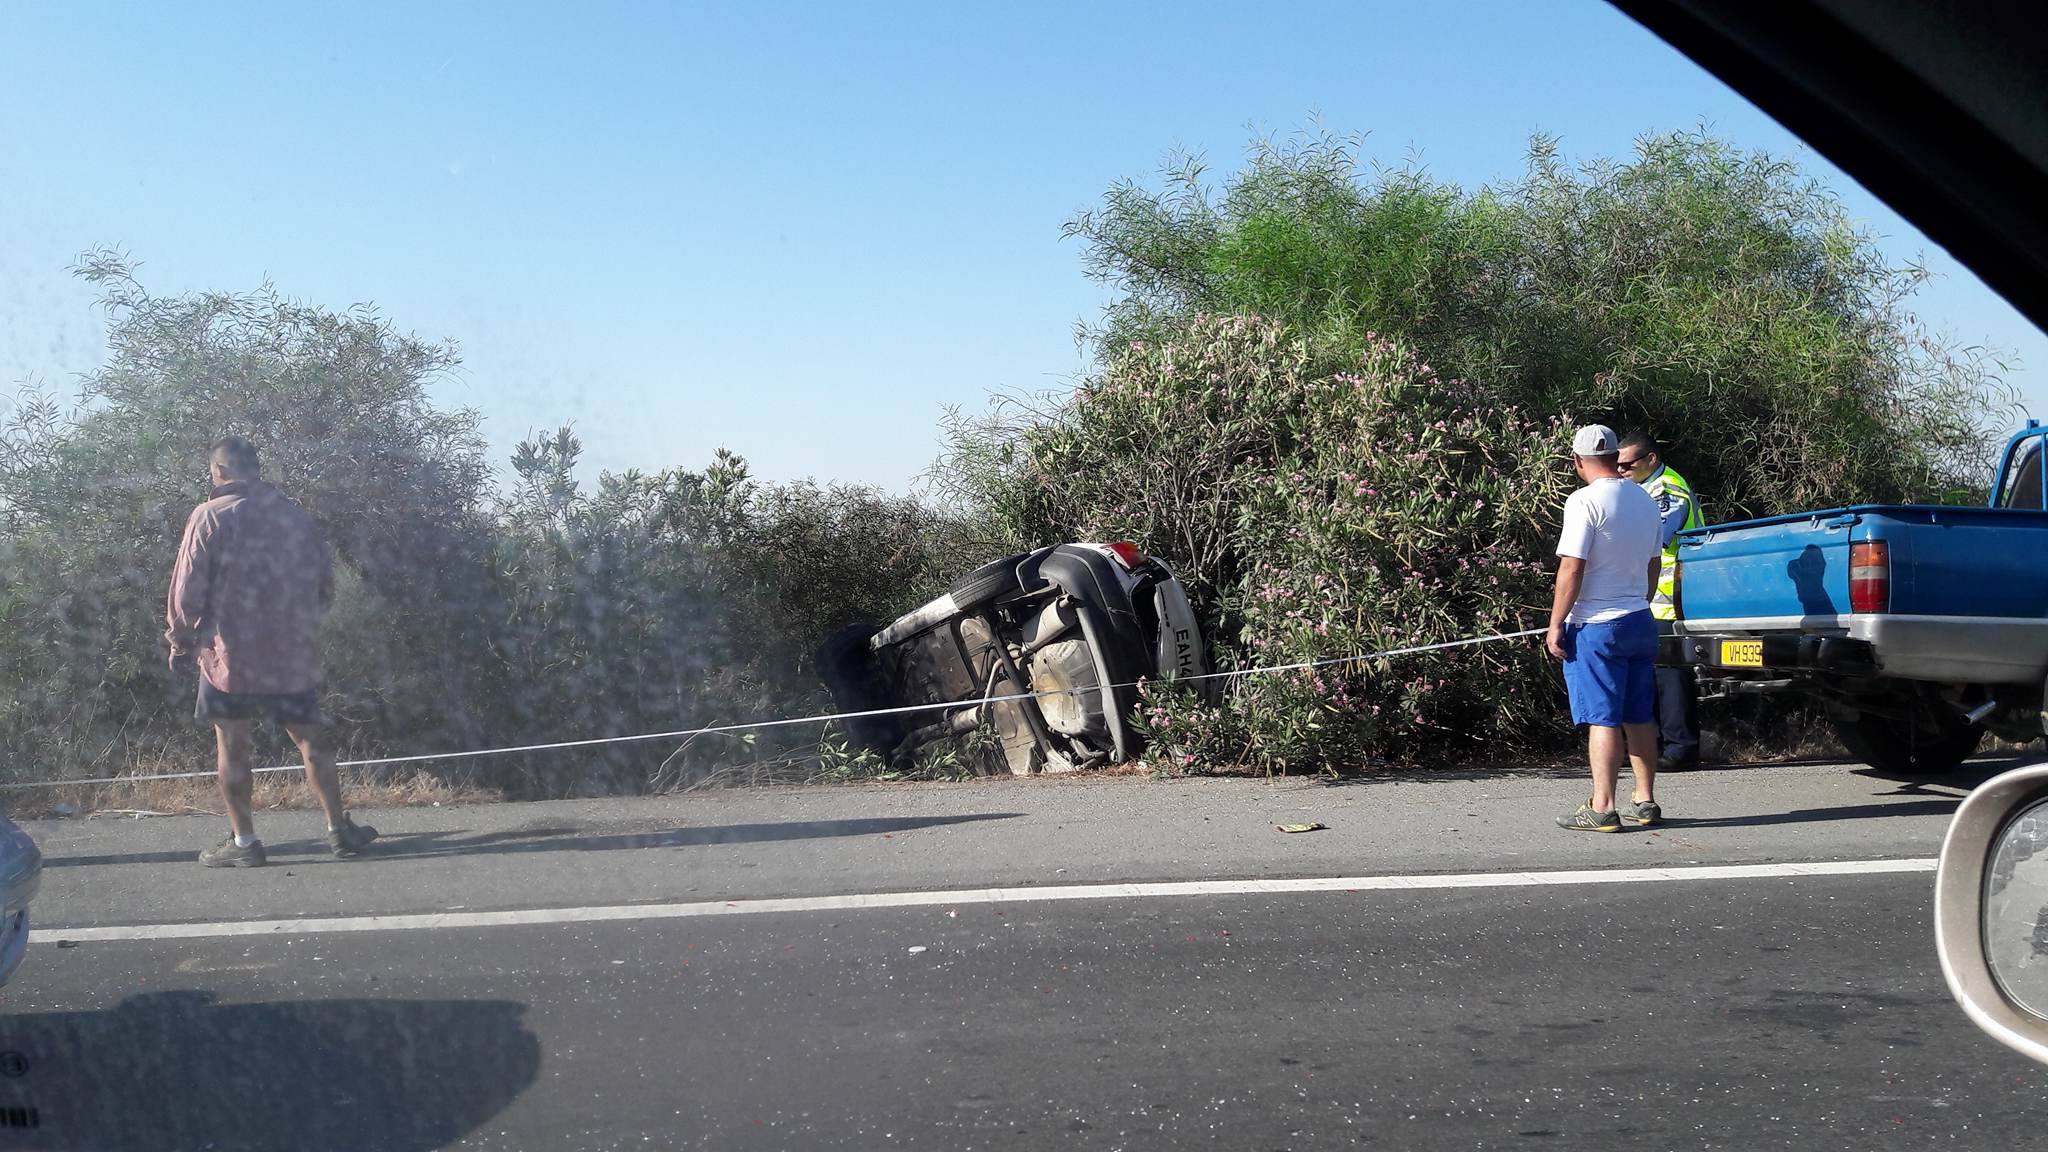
(966, 897)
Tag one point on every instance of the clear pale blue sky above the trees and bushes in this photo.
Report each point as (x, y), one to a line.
(790, 231)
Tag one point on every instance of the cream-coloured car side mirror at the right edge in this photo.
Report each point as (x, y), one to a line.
(1992, 909)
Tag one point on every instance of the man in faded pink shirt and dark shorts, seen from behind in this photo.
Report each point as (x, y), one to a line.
(247, 598)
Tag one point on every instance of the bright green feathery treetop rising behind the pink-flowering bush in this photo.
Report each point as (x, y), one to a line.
(1711, 296)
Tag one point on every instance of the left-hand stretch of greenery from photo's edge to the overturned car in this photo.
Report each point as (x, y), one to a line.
(466, 618)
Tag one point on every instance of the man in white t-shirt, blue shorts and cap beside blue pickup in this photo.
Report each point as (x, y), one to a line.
(1611, 557)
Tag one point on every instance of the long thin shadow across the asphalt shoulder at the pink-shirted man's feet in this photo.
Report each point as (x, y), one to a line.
(570, 839)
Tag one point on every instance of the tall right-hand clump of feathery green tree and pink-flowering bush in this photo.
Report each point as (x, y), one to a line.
(1336, 405)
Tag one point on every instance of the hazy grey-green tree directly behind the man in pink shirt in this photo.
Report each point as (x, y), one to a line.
(95, 499)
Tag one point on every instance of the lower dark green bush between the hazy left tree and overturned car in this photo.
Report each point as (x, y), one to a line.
(687, 600)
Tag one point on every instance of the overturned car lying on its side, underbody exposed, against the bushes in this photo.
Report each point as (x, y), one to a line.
(1078, 624)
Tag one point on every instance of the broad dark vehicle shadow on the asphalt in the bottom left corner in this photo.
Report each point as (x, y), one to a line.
(179, 1071)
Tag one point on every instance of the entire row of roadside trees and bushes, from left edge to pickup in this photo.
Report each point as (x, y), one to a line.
(1332, 399)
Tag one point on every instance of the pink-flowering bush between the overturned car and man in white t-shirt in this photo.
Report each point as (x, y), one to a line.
(1326, 507)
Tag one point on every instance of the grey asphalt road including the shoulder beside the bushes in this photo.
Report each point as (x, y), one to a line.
(1799, 1012)
